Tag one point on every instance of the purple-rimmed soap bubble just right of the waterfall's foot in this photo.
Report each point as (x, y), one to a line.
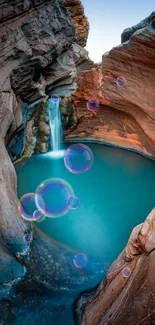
(78, 158)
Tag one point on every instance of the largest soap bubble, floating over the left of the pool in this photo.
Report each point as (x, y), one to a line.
(55, 193)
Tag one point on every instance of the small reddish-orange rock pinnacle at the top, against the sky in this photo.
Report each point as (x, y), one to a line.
(79, 20)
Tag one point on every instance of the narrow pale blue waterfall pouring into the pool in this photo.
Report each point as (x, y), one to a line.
(55, 123)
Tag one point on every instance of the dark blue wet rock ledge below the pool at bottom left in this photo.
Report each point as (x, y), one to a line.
(51, 284)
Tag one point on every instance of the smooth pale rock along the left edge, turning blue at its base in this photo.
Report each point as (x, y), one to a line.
(13, 246)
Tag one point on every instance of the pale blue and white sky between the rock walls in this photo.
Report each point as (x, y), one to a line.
(108, 18)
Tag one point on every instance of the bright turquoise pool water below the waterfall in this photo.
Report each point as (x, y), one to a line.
(116, 194)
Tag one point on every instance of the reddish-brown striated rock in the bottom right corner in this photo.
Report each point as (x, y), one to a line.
(126, 300)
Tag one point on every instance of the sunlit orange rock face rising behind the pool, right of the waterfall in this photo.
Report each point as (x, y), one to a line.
(127, 116)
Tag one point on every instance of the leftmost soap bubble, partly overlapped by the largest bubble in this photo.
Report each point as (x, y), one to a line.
(27, 206)
